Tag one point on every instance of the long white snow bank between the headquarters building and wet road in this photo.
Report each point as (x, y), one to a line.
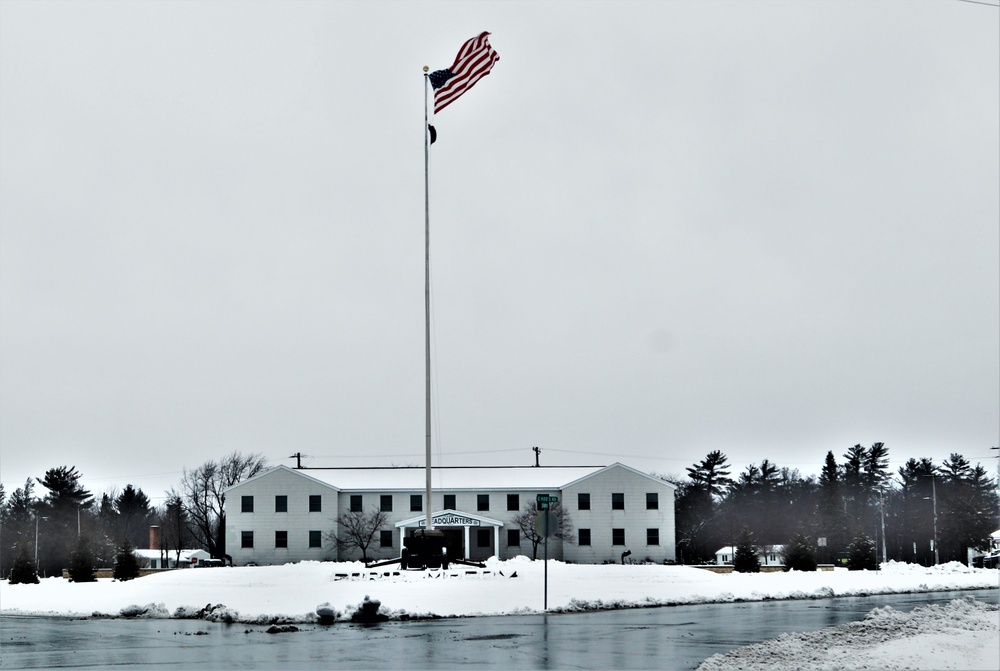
(291, 593)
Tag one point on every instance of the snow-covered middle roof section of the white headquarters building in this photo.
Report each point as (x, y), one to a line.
(455, 479)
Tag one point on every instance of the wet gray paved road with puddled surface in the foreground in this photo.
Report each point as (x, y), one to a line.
(655, 638)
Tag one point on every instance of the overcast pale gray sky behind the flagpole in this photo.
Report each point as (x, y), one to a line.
(658, 229)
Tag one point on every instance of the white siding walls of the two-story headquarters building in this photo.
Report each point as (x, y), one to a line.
(600, 483)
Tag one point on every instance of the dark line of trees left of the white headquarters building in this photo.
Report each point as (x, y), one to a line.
(56, 523)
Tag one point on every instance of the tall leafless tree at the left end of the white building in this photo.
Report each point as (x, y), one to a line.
(203, 491)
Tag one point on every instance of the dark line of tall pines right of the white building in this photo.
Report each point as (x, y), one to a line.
(923, 513)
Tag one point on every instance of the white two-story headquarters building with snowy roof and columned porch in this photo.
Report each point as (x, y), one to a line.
(286, 515)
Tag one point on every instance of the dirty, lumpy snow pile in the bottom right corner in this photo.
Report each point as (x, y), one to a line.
(963, 634)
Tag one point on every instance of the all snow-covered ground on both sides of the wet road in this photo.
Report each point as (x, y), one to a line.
(959, 636)
